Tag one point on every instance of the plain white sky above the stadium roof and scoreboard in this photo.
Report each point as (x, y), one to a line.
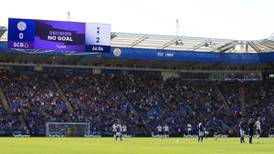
(226, 19)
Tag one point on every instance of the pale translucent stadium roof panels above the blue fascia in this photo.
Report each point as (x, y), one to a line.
(152, 41)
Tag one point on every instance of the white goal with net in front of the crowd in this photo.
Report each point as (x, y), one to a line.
(67, 129)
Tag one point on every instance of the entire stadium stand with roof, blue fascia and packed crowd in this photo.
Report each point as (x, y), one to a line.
(141, 99)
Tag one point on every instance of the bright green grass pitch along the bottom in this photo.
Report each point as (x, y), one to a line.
(132, 146)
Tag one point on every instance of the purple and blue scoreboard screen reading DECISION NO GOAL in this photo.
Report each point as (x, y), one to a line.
(58, 35)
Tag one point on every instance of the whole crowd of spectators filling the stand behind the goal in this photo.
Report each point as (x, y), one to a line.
(139, 101)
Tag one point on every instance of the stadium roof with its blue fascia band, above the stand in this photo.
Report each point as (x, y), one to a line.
(175, 53)
